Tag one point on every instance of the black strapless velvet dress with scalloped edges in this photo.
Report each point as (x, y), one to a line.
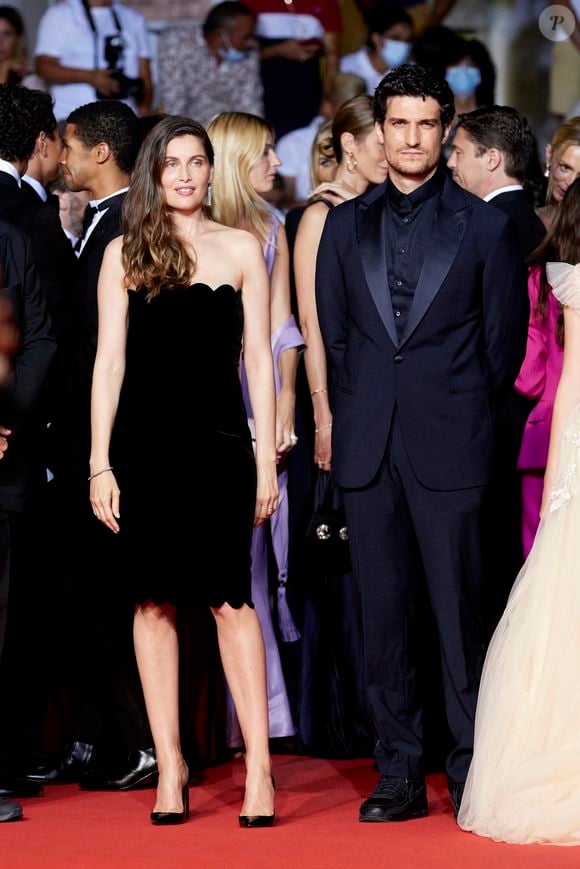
(182, 450)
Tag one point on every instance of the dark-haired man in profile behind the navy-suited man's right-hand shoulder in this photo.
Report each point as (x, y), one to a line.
(492, 149)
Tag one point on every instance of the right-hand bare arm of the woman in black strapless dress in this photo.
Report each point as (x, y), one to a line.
(260, 372)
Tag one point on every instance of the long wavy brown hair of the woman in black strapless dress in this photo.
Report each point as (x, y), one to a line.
(153, 255)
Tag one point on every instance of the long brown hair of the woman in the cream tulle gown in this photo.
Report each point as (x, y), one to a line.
(561, 244)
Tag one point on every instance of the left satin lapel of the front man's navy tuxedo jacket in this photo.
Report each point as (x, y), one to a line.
(371, 241)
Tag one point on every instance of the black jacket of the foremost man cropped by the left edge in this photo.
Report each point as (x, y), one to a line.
(21, 287)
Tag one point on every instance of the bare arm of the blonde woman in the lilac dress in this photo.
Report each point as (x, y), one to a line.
(280, 311)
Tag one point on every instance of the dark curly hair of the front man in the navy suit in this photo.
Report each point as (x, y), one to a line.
(412, 80)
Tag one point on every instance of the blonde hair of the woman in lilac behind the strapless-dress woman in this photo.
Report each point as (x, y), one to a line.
(239, 140)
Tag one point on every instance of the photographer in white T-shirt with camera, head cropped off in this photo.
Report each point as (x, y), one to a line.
(94, 49)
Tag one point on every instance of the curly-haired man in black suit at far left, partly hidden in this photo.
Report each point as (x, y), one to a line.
(25, 666)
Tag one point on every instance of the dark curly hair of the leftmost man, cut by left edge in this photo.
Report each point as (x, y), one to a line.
(19, 125)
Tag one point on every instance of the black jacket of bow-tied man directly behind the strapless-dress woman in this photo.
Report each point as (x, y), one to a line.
(71, 428)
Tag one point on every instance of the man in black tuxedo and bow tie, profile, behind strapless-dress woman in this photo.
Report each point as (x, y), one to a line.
(100, 143)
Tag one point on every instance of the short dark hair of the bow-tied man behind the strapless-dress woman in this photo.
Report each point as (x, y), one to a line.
(109, 121)
